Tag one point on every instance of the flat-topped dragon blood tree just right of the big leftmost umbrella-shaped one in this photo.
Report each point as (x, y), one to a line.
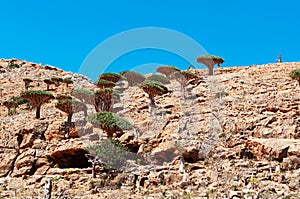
(70, 107)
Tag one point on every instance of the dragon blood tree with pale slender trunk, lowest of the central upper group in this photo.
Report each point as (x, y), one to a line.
(153, 89)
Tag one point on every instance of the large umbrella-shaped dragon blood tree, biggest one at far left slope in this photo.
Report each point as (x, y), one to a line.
(37, 98)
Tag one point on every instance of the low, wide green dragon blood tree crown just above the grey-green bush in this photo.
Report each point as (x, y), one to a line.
(110, 123)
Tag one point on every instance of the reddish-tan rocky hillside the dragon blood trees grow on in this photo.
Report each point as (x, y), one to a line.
(235, 135)
